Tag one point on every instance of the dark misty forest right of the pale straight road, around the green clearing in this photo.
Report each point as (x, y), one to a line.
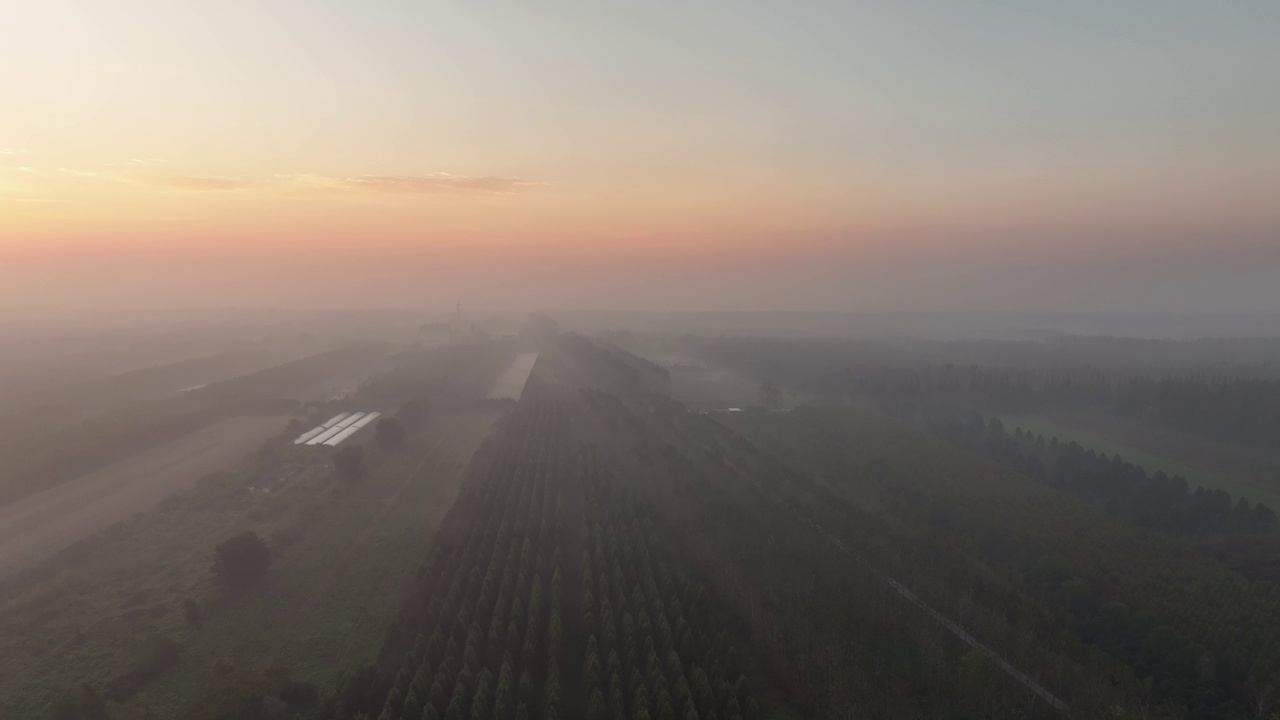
(1159, 590)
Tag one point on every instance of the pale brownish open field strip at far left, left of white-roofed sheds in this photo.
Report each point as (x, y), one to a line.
(38, 527)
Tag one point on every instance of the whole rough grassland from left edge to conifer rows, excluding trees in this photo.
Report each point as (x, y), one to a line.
(341, 555)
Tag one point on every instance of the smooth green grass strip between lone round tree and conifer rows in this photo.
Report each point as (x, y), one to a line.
(333, 590)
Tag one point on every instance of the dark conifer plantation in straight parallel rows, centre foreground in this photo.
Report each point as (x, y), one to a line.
(488, 637)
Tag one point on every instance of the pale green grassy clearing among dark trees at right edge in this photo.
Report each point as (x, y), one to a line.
(1199, 462)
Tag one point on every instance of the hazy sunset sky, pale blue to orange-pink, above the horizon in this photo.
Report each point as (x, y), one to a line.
(838, 156)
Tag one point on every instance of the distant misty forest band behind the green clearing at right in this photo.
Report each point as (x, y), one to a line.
(1188, 388)
